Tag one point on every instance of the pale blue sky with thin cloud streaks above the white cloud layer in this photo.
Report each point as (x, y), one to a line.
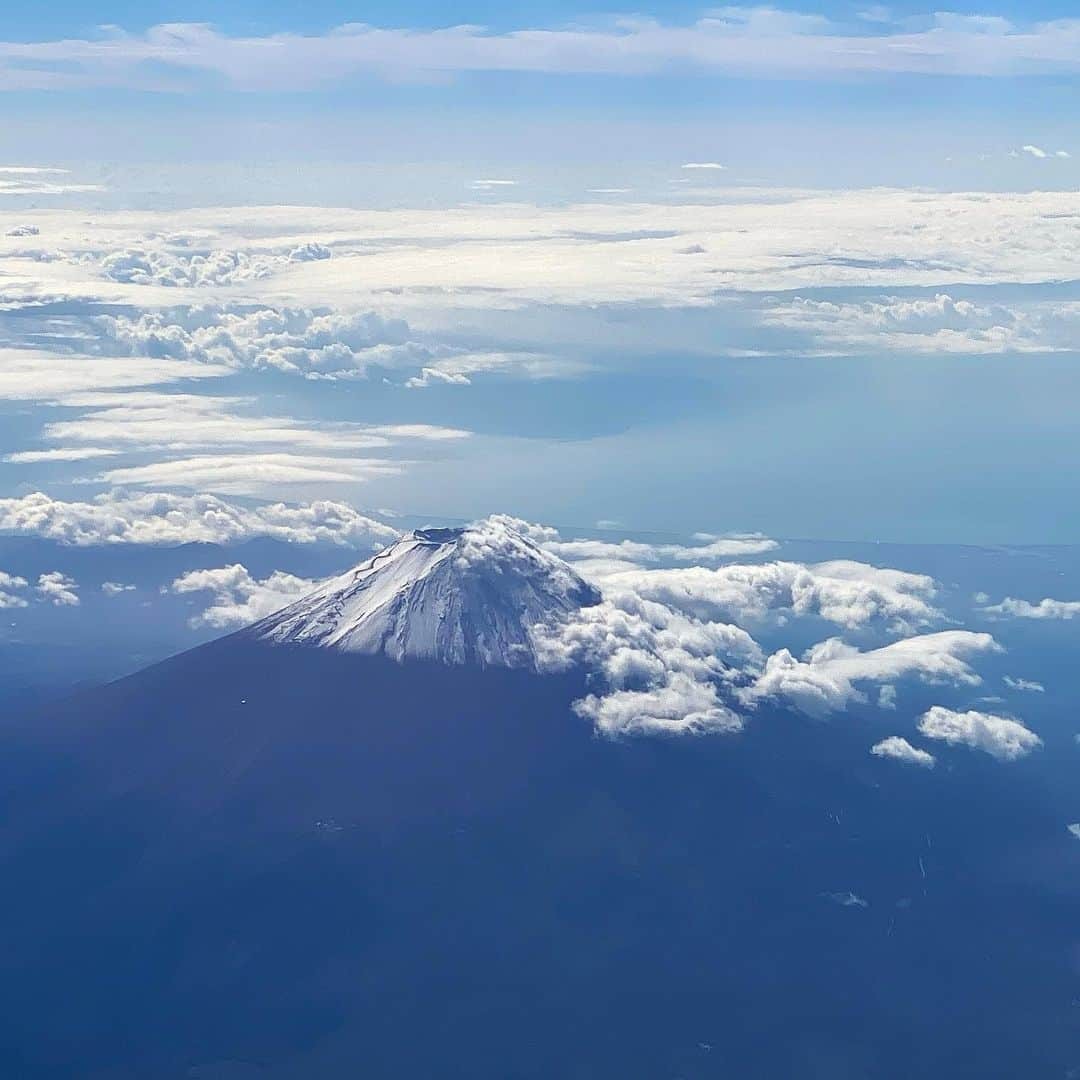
(781, 106)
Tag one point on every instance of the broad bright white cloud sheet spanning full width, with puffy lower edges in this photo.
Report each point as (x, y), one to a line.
(399, 280)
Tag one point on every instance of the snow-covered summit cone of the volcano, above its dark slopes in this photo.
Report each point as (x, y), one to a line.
(460, 597)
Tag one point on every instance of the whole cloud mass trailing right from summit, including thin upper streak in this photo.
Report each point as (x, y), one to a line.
(672, 654)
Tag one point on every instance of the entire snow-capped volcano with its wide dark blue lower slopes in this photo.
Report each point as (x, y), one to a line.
(370, 838)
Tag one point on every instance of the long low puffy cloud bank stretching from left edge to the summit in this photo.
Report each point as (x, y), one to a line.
(121, 518)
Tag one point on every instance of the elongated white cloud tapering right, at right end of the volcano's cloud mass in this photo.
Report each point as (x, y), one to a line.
(828, 679)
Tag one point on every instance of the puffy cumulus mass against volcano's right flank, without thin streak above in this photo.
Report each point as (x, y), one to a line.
(671, 656)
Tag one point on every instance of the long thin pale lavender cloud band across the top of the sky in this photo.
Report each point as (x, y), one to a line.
(745, 42)
